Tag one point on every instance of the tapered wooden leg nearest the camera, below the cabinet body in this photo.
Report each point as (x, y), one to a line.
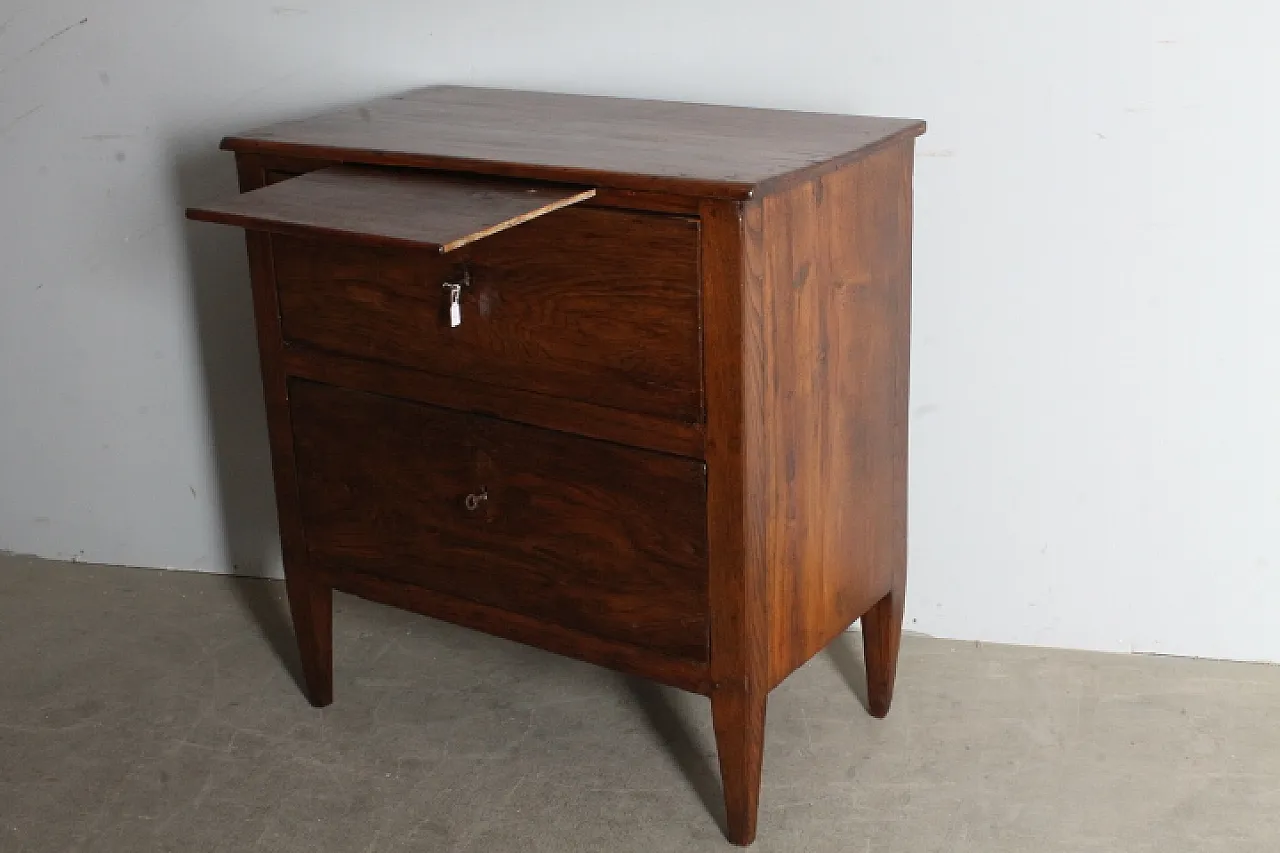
(739, 718)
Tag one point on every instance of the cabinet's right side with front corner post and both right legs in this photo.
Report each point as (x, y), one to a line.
(807, 300)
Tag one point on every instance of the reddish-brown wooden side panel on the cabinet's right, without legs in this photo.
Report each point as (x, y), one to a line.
(835, 331)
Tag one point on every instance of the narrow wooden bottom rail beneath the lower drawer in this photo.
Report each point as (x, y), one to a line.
(625, 658)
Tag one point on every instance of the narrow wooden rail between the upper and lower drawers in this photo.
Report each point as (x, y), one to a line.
(648, 432)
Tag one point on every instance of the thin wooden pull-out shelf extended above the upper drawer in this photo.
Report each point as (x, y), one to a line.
(390, 207)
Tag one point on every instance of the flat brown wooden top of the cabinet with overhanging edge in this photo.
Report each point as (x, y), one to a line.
(661, 147)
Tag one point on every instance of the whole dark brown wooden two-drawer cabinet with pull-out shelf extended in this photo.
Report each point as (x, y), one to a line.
(627, 381)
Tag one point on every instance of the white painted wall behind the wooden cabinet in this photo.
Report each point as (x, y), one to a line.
(1096, 446)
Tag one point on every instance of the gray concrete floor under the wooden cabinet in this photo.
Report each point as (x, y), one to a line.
(158, 711)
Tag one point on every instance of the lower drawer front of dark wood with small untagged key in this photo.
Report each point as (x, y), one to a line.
(582, 533)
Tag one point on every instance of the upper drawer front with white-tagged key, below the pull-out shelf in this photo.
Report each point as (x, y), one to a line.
(588, 304)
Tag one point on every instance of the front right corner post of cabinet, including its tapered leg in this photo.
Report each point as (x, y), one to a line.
(740, 637)
